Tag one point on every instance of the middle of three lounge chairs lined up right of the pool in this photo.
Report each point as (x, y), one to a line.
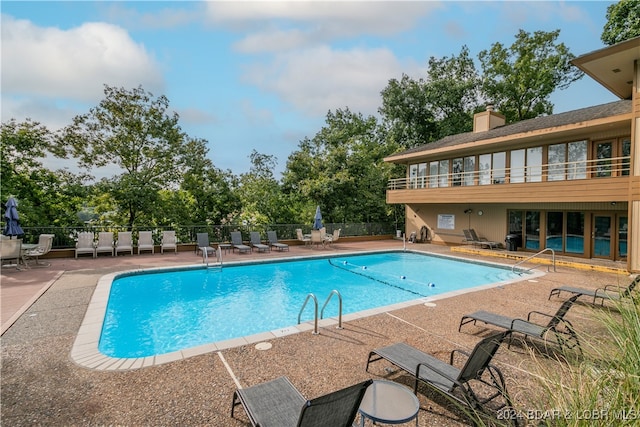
(561, 328)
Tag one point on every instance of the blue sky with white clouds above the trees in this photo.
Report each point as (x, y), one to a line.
(259, 75)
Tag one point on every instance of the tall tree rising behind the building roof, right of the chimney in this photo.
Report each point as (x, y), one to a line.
(521, 78)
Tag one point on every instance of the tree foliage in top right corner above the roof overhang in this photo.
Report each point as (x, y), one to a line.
(623, 22)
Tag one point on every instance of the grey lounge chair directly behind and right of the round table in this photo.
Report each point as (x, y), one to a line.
(466, 385)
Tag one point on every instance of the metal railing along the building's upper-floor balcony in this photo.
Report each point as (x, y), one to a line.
(566, 171)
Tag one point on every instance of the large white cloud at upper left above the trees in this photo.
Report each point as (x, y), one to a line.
(74, 63)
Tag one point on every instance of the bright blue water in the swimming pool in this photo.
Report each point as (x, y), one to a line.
(160, 312)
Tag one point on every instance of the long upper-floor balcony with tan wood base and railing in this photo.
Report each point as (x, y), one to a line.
(584, 181)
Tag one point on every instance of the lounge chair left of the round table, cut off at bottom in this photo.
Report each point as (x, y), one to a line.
(277, 403)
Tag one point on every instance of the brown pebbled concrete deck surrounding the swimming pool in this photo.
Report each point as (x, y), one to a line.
(42, 310)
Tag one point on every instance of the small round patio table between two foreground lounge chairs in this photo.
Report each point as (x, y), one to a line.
(389, 403)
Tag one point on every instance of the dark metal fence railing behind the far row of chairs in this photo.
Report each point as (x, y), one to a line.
(65, 237)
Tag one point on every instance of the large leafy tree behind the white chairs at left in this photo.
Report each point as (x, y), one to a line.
(131, 132)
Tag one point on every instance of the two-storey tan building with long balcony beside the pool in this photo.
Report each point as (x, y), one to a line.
(569, 182)
